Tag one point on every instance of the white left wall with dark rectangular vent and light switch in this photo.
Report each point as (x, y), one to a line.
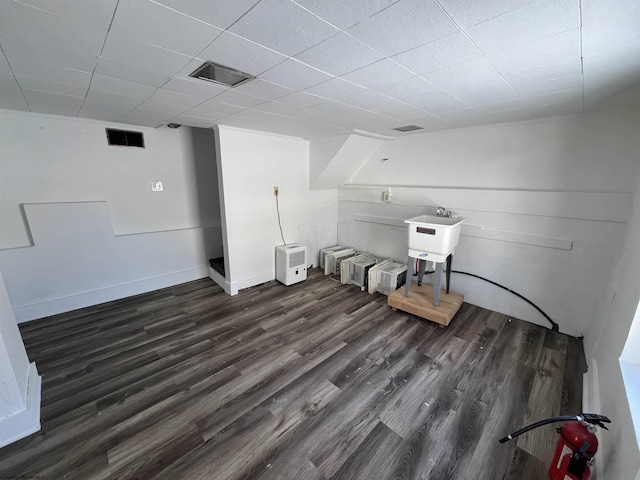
(99, 232)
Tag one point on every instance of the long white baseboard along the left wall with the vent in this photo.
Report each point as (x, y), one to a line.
(34, 311)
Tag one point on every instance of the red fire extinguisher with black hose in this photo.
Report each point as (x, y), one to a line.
(576, 446)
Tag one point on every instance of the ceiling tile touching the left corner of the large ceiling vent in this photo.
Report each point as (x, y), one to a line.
(143, 56)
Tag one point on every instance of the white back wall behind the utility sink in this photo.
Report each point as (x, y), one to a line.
(565, 180)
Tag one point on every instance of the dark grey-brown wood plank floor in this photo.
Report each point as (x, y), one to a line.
(313, 381)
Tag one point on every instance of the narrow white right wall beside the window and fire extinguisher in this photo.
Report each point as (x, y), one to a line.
(604, 344)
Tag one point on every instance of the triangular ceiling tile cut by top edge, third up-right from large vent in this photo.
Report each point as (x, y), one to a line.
(345, 14)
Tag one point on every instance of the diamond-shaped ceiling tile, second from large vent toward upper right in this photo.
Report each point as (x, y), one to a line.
(283, 26)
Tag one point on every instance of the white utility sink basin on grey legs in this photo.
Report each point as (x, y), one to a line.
(433, 234)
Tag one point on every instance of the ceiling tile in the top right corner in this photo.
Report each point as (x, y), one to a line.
(610, 26)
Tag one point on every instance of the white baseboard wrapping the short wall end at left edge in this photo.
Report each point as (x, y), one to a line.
(26, 422)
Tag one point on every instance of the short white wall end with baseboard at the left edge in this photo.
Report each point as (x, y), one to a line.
(19, 380)
